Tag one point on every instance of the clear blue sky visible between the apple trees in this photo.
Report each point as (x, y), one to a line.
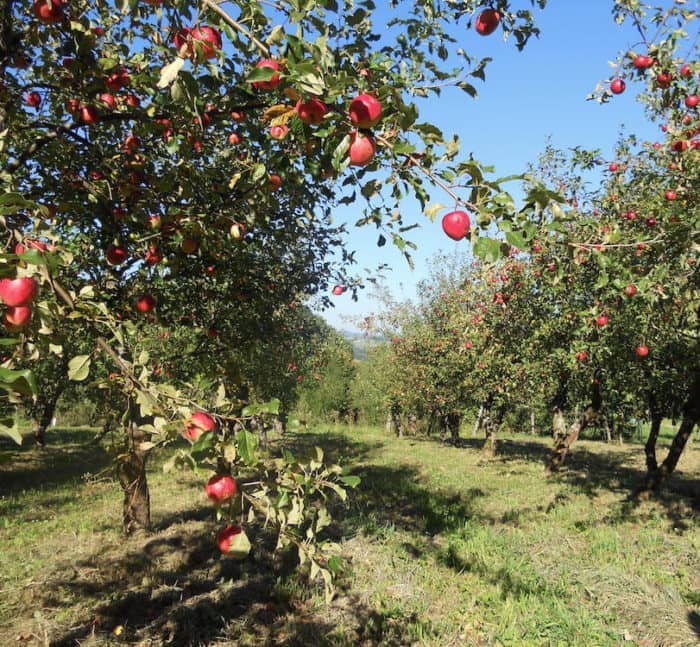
(528, 97)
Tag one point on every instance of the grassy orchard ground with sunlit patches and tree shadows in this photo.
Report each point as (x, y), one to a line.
(443, 548)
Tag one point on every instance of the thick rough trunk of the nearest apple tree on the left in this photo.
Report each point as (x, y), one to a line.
(131, 471)
